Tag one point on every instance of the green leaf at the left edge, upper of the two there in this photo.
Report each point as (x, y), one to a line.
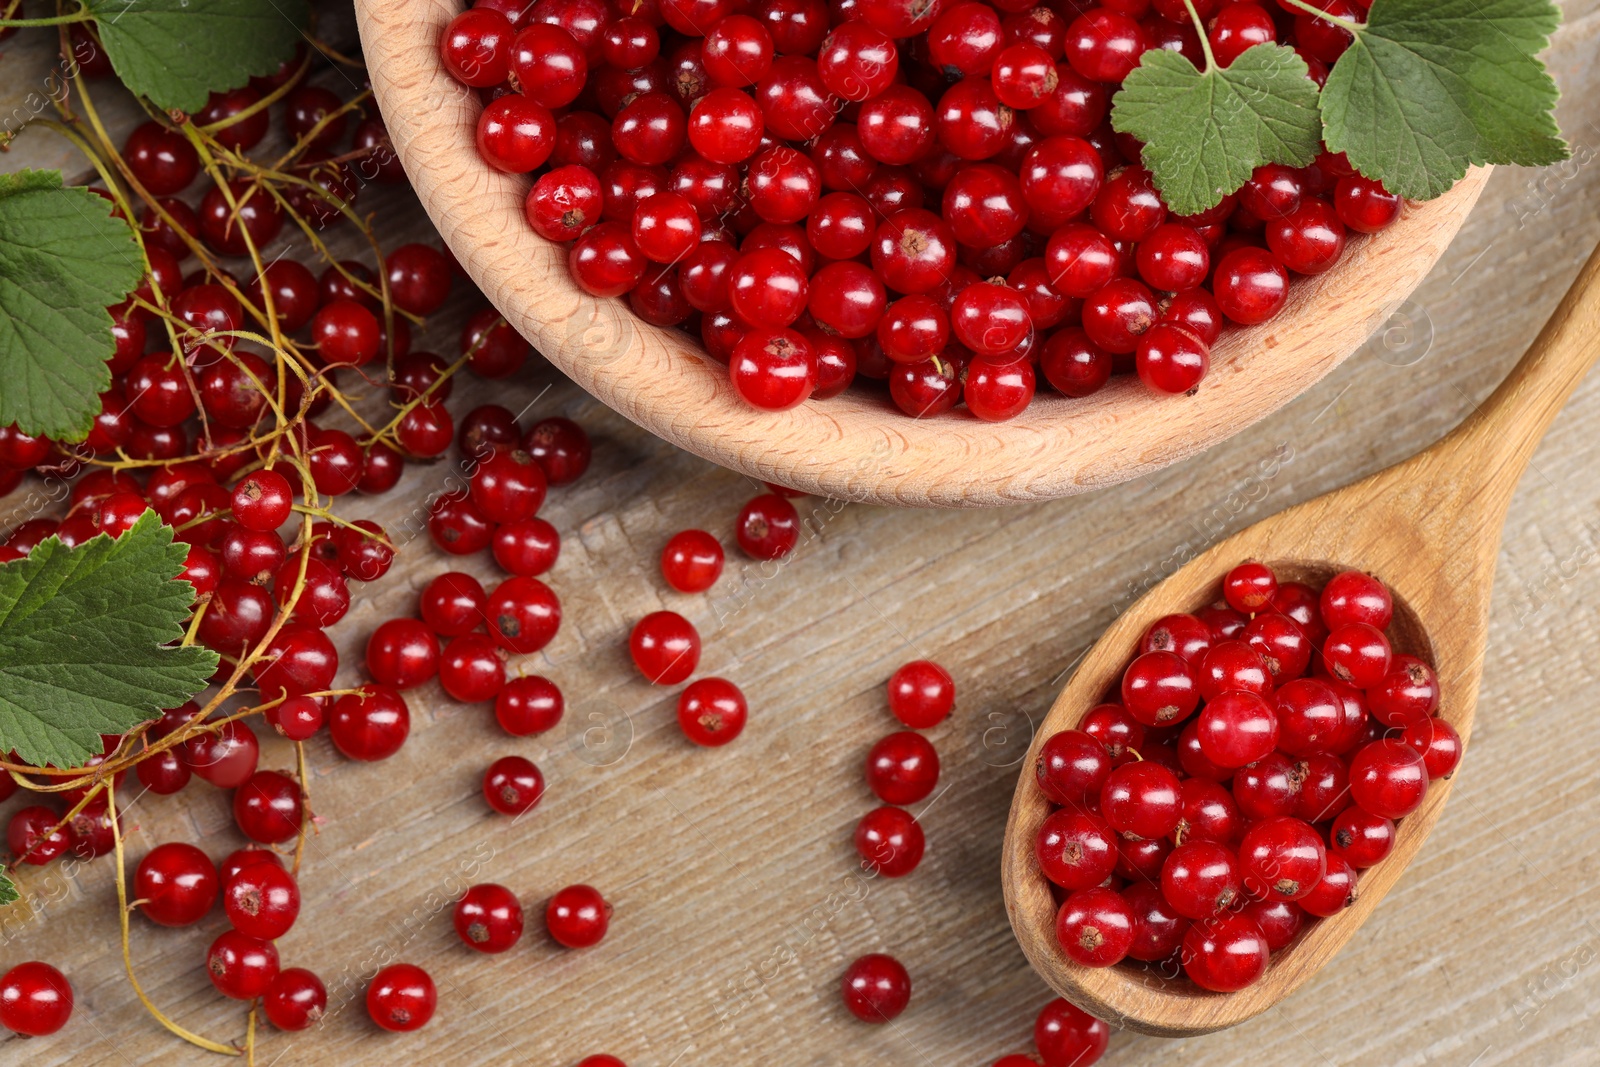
(63, 262)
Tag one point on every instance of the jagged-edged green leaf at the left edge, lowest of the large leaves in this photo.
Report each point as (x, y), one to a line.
(87, 642)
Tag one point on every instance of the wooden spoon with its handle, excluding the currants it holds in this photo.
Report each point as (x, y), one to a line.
(1428, 527)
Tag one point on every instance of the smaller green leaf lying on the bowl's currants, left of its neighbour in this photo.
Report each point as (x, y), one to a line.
(1206, 134)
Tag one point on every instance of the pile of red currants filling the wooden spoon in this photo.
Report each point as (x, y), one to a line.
(1206, 842)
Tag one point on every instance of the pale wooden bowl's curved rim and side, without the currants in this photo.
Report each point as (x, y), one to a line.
(858, 447)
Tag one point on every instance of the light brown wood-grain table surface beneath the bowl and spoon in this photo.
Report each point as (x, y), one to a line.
(738, 900)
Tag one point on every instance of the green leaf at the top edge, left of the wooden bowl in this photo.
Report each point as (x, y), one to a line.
(180, 52)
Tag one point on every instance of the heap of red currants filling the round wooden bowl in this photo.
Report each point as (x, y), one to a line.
(926, 194)
